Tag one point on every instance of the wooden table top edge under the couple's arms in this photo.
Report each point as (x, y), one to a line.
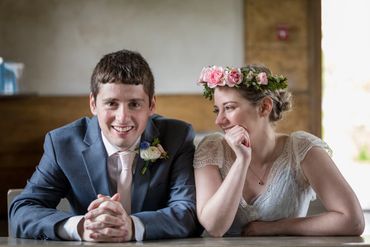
(211, 242)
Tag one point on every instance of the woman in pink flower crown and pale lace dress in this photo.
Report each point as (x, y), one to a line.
(254, 181)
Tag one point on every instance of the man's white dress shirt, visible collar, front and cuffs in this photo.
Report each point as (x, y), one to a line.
(68, 229)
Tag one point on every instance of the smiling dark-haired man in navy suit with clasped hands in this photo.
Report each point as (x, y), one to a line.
(83, 162)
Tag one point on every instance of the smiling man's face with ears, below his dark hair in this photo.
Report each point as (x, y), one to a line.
(122, 111)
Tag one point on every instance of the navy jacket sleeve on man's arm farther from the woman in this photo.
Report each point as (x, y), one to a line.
(33, 213)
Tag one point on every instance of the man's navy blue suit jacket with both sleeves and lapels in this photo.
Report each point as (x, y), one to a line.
(74, 166)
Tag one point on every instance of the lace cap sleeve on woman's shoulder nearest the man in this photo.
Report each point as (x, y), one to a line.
(210, 151)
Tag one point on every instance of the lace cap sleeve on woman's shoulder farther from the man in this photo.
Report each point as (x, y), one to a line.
(304, 141)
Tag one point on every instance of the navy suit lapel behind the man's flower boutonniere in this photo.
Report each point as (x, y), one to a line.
(142, 181)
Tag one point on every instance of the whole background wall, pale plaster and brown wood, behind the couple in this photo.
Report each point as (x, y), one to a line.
(60, 41)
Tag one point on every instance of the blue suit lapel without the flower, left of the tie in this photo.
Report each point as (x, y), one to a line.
(95, 158)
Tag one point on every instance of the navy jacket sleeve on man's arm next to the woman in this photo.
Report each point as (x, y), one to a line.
(177, 219)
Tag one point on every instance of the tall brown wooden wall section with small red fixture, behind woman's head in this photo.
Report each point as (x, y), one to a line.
(286, 36)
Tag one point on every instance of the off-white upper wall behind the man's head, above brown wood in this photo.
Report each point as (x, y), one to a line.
(60, 41)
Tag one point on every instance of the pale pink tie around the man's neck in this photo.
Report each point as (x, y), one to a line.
(125, 179)
